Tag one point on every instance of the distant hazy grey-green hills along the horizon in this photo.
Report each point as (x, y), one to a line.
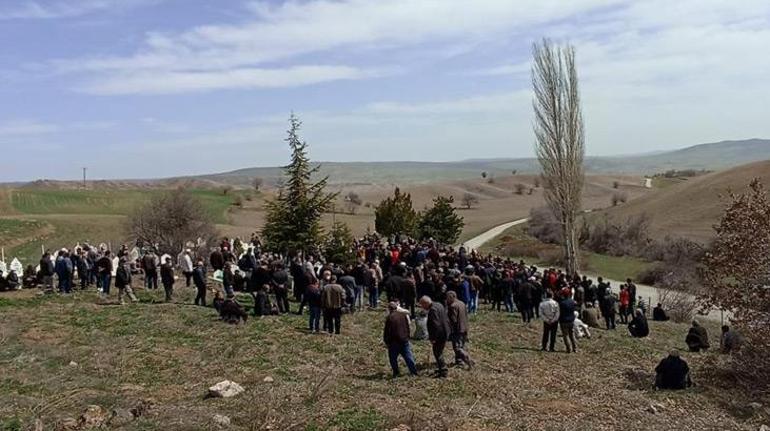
(715, 156)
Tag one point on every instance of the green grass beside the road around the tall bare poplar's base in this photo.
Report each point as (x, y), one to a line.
(518, 244)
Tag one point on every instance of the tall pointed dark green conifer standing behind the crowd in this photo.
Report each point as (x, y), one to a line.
(293, 221)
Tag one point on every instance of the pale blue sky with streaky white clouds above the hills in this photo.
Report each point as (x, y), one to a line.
(157, 88)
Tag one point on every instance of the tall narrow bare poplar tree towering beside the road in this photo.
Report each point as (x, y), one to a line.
(560, 138)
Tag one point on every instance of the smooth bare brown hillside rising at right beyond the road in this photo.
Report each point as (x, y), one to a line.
(693, 207)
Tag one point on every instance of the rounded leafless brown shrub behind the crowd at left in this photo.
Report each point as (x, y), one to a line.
(169, 220)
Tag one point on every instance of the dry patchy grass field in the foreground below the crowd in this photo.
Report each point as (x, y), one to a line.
(166, 355)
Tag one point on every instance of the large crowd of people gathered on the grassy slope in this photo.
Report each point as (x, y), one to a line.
(434, 286)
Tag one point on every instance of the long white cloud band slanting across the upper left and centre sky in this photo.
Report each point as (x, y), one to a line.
(290, 30)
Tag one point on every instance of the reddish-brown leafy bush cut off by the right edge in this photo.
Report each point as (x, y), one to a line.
(737, 277)
